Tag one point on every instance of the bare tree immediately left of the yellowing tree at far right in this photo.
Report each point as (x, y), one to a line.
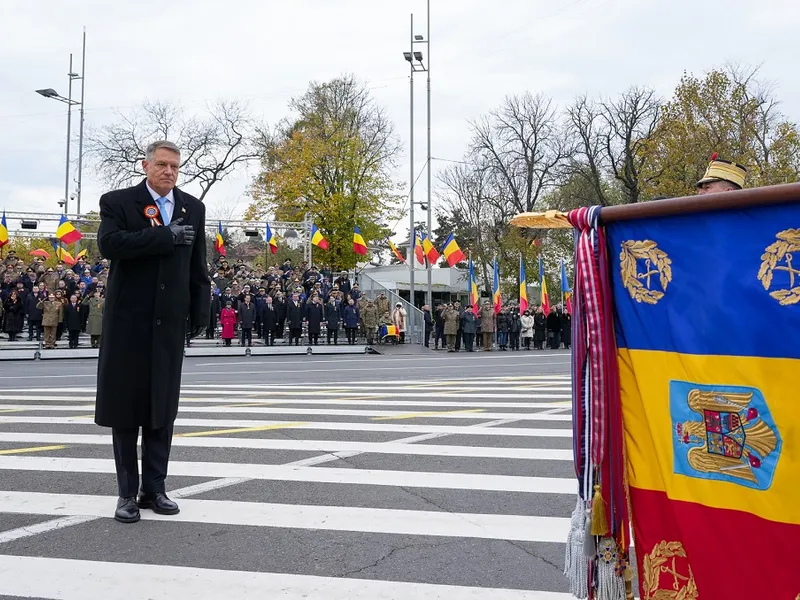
(612, 138)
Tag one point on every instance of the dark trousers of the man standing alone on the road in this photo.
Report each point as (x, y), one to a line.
(156, 445)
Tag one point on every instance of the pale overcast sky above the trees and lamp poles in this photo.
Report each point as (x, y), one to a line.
(266, 51)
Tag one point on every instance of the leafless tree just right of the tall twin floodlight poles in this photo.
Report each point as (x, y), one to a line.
(522, 146)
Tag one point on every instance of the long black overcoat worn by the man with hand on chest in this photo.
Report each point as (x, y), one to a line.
(153, 287)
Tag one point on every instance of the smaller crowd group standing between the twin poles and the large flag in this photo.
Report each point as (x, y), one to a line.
(457, 327)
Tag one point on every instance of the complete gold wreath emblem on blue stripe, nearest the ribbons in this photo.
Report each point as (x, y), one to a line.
(657, 270)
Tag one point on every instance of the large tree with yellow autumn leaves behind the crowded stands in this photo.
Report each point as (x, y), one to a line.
(332, 162)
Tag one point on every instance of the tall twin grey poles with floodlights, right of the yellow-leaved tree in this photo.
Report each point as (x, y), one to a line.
(415, 60)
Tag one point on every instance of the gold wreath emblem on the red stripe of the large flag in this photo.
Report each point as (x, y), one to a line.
(668, 558)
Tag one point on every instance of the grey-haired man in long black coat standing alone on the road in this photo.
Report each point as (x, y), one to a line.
(153, 234)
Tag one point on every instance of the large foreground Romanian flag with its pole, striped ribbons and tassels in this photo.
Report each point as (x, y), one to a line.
(685, 362)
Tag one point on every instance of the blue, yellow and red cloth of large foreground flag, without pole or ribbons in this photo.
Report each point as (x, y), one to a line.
(707, 311)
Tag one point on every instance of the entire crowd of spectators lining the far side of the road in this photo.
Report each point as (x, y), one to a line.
(284, 302)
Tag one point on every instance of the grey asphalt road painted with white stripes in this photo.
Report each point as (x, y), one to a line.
(358, 477)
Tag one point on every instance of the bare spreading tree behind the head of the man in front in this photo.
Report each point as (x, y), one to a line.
(212, 147)
